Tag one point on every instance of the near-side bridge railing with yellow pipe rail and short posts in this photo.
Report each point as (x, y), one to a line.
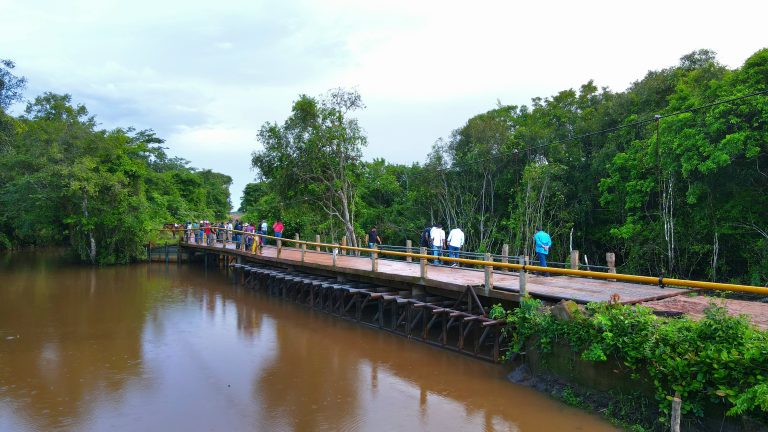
(488, 263)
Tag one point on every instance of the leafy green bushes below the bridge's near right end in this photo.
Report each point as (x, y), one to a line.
(719, 361)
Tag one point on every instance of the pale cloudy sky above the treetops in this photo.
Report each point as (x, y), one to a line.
(206, 75)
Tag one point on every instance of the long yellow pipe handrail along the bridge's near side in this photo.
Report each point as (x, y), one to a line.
(649, 280)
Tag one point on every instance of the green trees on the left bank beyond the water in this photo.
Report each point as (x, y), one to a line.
(102, 193)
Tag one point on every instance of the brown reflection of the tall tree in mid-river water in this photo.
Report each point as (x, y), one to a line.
(312, 383)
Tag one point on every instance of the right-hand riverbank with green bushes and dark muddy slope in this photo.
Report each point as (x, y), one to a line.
(626, 363)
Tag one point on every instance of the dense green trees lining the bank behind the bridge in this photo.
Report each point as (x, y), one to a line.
(680, 194)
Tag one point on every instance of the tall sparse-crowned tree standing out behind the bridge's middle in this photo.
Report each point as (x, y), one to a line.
(316, 154)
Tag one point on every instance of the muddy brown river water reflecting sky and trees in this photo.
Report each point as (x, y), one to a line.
(168, 348)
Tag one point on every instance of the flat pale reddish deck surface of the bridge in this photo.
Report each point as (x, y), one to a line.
(506, 284)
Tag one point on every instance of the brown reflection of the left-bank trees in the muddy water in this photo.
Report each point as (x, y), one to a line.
(80, 333)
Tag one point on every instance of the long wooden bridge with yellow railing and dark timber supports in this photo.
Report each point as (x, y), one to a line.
(399, 289)
